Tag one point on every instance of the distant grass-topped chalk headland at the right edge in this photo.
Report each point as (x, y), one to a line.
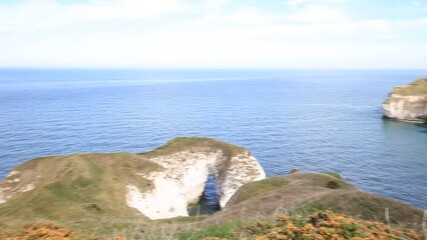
(407, 102)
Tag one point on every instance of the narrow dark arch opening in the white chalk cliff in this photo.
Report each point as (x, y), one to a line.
(208, 203)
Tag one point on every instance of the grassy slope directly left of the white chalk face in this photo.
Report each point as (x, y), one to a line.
(80, 186)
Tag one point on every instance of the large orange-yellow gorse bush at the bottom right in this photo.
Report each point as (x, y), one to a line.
(325, 225)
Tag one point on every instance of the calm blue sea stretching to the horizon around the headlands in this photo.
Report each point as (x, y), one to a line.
(313, 120)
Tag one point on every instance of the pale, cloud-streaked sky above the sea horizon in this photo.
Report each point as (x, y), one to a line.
(289, 34)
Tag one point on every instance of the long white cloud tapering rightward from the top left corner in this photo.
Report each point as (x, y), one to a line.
(44, 14)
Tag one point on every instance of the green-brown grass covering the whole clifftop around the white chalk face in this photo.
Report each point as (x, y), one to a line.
(84, 192)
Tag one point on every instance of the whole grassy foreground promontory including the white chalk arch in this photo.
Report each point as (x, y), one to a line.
(147, 195)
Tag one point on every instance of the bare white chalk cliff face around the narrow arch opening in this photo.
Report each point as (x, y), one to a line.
(184, 177)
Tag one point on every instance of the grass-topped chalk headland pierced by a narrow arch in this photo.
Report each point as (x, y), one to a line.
(159, 184)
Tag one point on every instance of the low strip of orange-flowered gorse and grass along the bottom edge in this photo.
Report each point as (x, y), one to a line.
(321, 225)
